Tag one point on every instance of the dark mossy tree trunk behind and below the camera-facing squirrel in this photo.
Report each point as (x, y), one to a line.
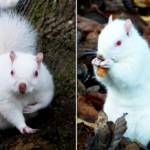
(55, 22)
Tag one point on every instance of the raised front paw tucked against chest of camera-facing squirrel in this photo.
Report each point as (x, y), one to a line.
(30, 108)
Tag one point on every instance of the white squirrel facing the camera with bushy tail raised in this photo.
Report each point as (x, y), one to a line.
(26, 84)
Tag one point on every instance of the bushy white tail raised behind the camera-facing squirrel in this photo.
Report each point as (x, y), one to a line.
(16, 33)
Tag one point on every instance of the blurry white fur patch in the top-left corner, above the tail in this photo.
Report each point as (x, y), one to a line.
(5, 4)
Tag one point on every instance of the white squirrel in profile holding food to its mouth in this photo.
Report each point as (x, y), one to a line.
(126, 57)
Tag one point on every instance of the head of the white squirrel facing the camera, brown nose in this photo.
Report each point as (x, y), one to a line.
(25, 71)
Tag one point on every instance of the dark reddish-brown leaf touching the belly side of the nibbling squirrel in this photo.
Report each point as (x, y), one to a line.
(97, 99)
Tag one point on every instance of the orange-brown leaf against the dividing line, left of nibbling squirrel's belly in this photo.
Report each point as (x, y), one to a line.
(86, 110)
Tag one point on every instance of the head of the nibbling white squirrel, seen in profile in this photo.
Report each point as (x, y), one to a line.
(115, 40)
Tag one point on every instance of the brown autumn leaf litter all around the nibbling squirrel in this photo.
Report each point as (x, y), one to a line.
(95, 131)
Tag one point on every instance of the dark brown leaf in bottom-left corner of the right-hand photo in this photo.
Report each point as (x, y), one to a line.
(82, 137)
